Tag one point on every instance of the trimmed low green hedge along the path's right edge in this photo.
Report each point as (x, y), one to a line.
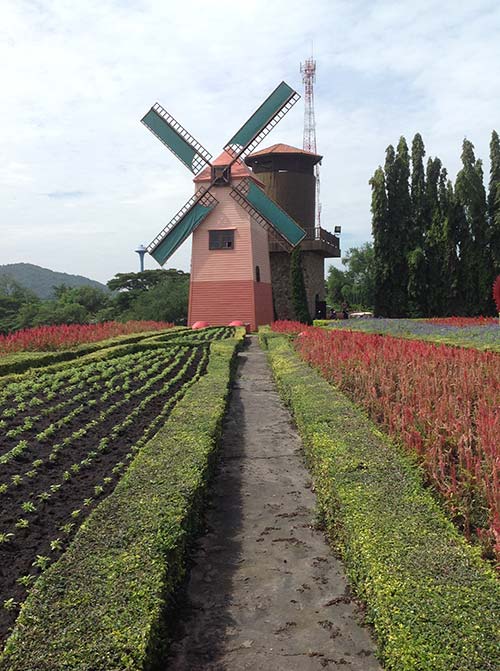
(433, 602)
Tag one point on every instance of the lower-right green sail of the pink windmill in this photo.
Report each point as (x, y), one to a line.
(270, 215)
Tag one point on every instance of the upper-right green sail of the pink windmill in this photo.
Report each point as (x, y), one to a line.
(262, 121)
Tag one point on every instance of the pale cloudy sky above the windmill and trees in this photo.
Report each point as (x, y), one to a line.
(83, 182)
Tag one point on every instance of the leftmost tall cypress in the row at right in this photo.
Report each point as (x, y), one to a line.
(381, 244)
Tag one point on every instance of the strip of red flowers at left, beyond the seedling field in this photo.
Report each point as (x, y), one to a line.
(49, 338)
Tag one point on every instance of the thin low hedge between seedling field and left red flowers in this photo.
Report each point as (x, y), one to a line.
(20, 362)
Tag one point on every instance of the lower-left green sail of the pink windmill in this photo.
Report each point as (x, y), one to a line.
(182, 225)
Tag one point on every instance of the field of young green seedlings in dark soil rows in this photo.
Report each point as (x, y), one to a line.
(67, 435)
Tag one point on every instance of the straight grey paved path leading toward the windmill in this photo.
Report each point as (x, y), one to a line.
(265, 591)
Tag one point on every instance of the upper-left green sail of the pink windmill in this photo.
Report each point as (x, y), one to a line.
(177, 139)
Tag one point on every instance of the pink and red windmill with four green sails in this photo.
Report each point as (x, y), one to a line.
(229, 216)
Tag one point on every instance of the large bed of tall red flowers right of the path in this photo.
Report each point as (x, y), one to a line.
(442, 402)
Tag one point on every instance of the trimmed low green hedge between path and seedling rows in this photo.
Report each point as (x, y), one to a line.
(101, 606)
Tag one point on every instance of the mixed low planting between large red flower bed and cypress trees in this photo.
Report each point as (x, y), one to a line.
(477, 332)
